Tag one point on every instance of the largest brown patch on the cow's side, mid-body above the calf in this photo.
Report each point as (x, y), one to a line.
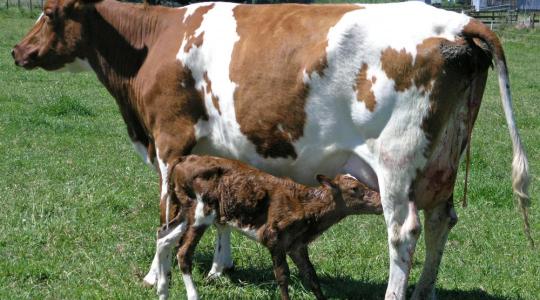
(268, 64)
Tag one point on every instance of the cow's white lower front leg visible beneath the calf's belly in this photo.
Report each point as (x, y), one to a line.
(222, 252)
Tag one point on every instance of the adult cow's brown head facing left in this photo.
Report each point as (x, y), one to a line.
(56, 39)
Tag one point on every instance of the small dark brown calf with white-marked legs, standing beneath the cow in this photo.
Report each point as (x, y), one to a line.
(282, 215)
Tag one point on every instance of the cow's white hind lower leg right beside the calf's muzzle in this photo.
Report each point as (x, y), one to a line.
(403, 227)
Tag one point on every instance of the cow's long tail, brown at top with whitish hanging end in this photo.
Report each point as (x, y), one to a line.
(520, 166)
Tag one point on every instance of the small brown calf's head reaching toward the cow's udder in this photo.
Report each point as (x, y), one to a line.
(355, 195)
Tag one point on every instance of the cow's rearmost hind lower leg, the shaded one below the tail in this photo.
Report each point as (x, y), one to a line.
(437, 223)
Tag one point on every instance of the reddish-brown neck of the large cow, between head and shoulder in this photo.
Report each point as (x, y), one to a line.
(120, 35)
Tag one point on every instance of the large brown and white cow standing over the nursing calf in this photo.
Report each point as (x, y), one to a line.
(297, 90)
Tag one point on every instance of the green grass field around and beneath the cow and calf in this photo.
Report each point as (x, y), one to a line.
(79, 208)
